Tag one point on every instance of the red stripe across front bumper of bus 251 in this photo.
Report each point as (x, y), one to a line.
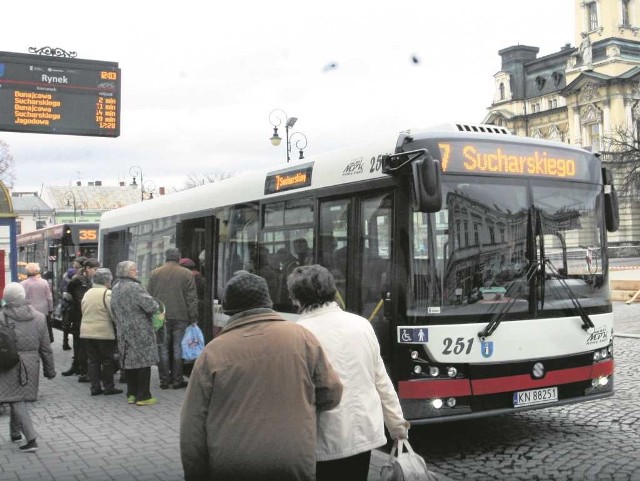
(433, 388)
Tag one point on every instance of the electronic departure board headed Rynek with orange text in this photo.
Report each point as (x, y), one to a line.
(52, 95)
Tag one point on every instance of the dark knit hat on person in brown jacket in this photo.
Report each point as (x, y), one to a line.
(245, 291)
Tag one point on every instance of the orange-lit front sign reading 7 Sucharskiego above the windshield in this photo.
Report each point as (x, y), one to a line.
(496, 158)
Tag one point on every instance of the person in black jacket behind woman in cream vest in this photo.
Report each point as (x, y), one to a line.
(76, 290)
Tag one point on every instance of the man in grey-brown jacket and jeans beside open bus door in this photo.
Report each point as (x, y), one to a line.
(173, 285)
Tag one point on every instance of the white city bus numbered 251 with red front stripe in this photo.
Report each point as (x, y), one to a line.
(479, 257)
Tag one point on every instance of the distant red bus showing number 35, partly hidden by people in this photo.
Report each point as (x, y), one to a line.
(55, 247)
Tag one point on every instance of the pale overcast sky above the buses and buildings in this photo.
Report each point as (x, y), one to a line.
(199, 79)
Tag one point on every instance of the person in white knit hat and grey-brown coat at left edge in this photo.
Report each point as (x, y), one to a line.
(20, 384)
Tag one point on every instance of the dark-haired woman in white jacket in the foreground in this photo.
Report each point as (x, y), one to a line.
(348, 433)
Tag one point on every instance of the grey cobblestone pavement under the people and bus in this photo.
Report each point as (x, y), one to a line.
(83, 437)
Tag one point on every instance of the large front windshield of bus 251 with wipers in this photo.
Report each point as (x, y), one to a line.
(532, 243)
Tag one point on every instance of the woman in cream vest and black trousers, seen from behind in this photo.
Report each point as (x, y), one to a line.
(97, 331)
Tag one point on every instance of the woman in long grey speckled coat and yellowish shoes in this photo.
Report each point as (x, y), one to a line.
(132, 308)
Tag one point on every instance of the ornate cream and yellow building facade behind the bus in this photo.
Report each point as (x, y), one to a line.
(584, 95)
